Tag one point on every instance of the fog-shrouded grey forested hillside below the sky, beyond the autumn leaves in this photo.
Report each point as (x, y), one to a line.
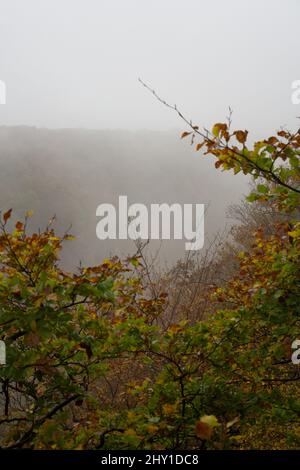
(67, 173)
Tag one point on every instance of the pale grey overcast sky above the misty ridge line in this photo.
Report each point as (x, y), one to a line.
(75, 63)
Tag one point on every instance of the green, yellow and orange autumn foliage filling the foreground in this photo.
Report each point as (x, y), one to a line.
(93, 363)
